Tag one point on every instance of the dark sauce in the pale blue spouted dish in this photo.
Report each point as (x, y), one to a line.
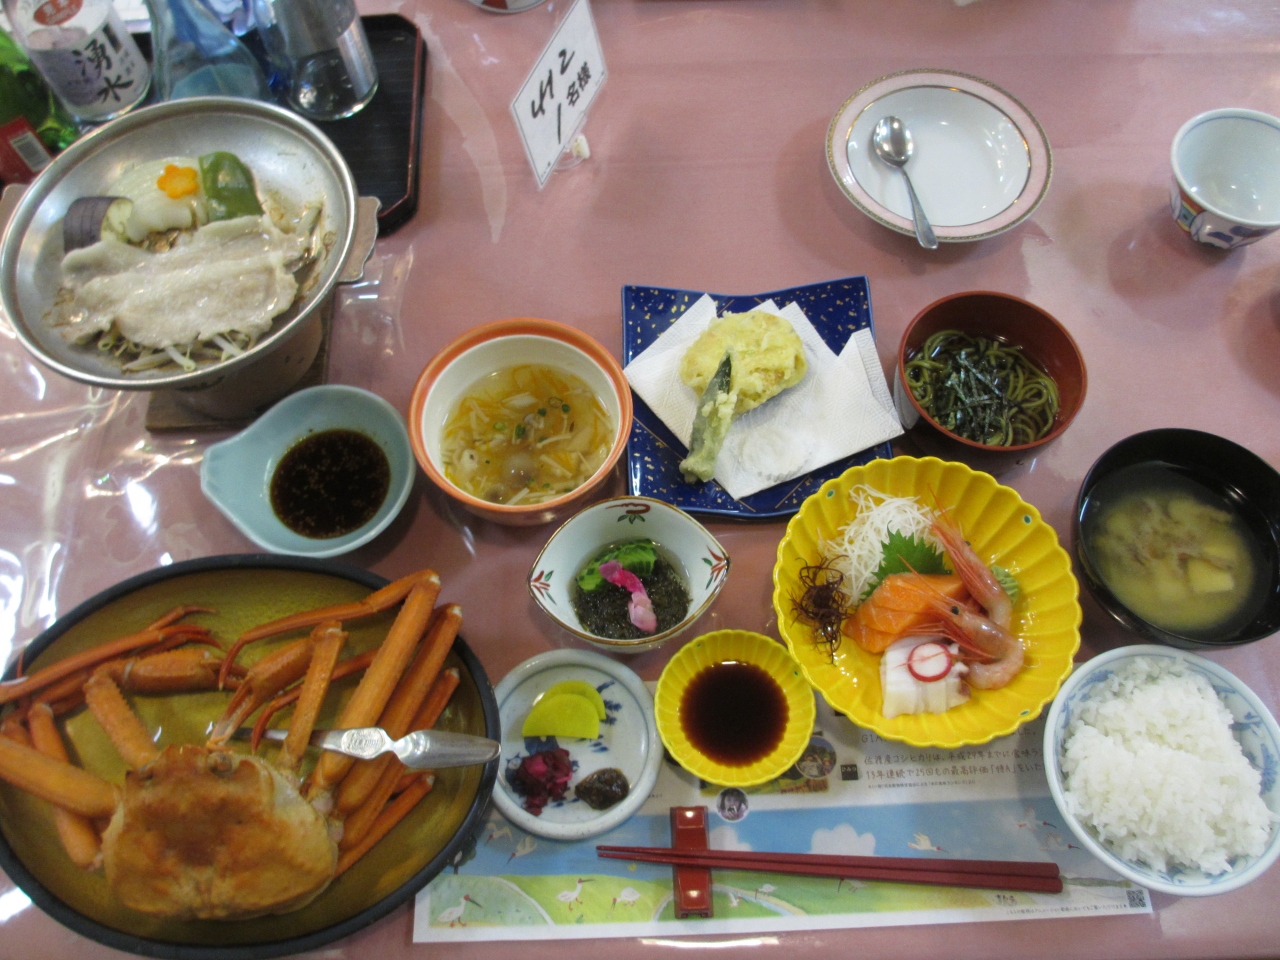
(331, 483)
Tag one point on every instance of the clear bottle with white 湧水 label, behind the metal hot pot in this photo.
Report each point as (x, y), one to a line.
(85, 53)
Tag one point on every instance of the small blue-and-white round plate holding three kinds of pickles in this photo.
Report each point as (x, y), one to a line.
(629, 742)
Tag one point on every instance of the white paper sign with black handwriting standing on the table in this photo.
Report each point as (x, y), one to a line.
(552, 104)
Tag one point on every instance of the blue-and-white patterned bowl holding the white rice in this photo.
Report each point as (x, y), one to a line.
(1255, 729)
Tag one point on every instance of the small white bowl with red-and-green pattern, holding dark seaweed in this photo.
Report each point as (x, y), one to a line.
(696, 554)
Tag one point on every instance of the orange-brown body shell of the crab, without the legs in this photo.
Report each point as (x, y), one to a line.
(208, 834)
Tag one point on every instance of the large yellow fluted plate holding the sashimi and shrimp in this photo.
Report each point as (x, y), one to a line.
(1003, 529)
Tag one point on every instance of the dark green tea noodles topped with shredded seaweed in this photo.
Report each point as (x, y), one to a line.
(982, 390)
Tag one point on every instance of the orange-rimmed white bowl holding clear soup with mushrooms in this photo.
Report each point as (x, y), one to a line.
(504, 344)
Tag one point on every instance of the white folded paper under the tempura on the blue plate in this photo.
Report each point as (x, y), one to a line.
(842, 406)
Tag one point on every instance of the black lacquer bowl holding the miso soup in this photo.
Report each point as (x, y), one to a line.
(1249, 484)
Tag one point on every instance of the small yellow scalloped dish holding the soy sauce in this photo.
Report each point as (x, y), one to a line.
(740, 647)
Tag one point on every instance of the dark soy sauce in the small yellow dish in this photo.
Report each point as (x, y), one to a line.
(734, 714)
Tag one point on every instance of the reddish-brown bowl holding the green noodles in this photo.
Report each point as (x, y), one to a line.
(1045, 342)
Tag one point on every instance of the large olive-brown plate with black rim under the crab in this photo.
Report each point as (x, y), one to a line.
(244, 591)
